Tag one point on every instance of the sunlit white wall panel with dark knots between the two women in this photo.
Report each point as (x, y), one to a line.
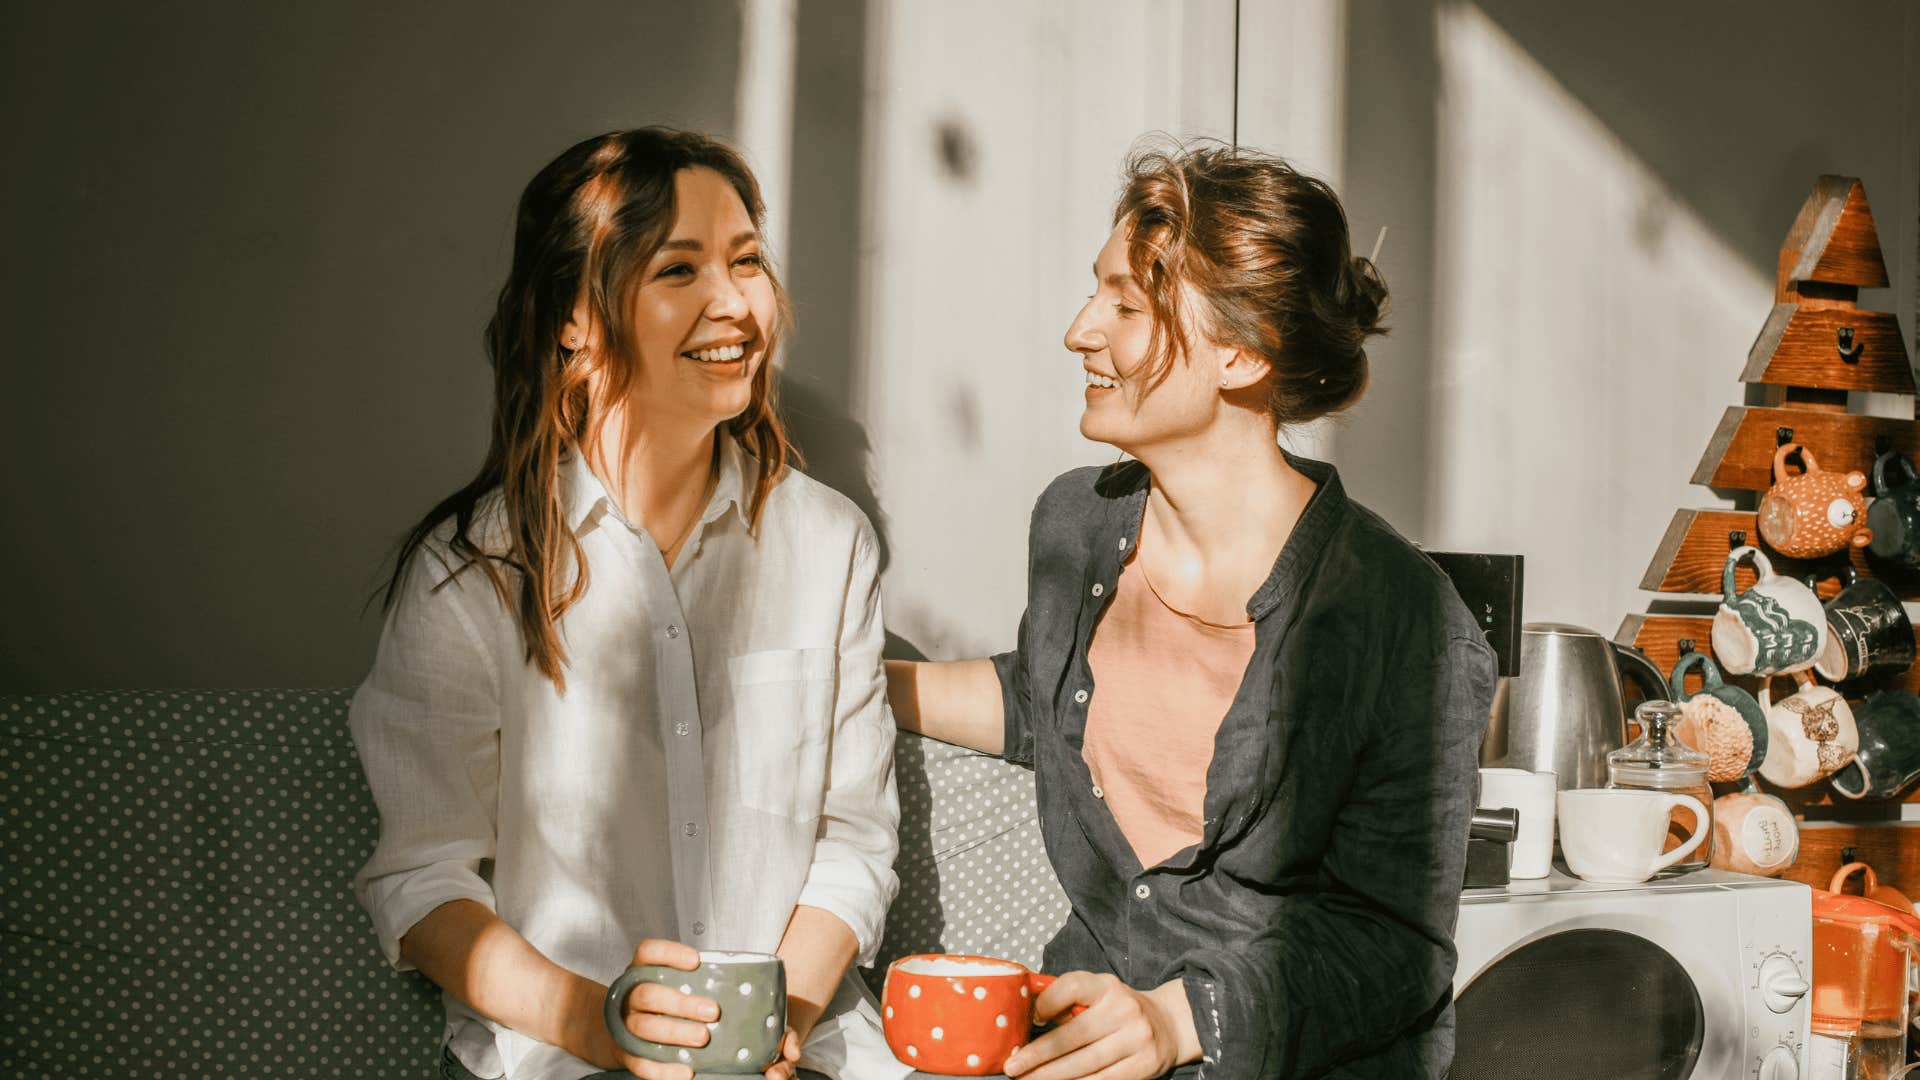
(996, 141)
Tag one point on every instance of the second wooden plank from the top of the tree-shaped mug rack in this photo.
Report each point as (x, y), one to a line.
(1800, 347)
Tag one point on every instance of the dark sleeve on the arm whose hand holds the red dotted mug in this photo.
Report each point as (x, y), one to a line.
(1345, 971)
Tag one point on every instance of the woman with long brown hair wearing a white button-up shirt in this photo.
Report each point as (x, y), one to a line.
(629, 689)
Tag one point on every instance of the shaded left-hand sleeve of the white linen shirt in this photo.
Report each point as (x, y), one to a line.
(427, 731)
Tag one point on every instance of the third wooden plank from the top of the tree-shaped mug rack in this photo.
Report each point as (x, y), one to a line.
(1740, 456)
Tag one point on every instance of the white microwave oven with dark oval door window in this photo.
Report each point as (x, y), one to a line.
(1702, 975)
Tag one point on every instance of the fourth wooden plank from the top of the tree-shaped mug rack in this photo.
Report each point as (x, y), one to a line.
(1698, 543)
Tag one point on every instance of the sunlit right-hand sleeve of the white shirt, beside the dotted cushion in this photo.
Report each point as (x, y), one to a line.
(852, 873)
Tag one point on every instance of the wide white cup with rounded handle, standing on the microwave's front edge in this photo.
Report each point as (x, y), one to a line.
(1616, 835)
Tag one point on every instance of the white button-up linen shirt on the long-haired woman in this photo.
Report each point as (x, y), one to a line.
(723, 752)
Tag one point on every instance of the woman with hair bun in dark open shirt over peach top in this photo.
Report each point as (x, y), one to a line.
(1253, 710)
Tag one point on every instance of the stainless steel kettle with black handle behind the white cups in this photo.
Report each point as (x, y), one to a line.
(1564, 712)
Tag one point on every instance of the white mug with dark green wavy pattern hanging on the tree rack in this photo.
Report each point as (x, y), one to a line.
(1777, 627)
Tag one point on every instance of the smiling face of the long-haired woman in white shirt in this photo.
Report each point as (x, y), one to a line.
(704, 312)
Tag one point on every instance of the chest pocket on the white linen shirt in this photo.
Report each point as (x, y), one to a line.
(782, 729)
